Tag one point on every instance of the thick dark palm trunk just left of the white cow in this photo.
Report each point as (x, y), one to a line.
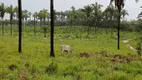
(52, 29)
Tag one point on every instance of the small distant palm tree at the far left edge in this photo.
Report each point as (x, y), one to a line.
(2, 11)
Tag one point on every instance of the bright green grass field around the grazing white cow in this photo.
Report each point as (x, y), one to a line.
(102, 60)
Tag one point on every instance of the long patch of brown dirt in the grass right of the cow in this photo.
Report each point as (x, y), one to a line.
(115, 59)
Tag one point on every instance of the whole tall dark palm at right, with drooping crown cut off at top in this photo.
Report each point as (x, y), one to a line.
(119, 4)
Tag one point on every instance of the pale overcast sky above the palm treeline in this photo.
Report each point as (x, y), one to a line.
(62, 5)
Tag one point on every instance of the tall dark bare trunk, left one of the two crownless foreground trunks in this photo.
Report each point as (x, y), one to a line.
(20, 26)
